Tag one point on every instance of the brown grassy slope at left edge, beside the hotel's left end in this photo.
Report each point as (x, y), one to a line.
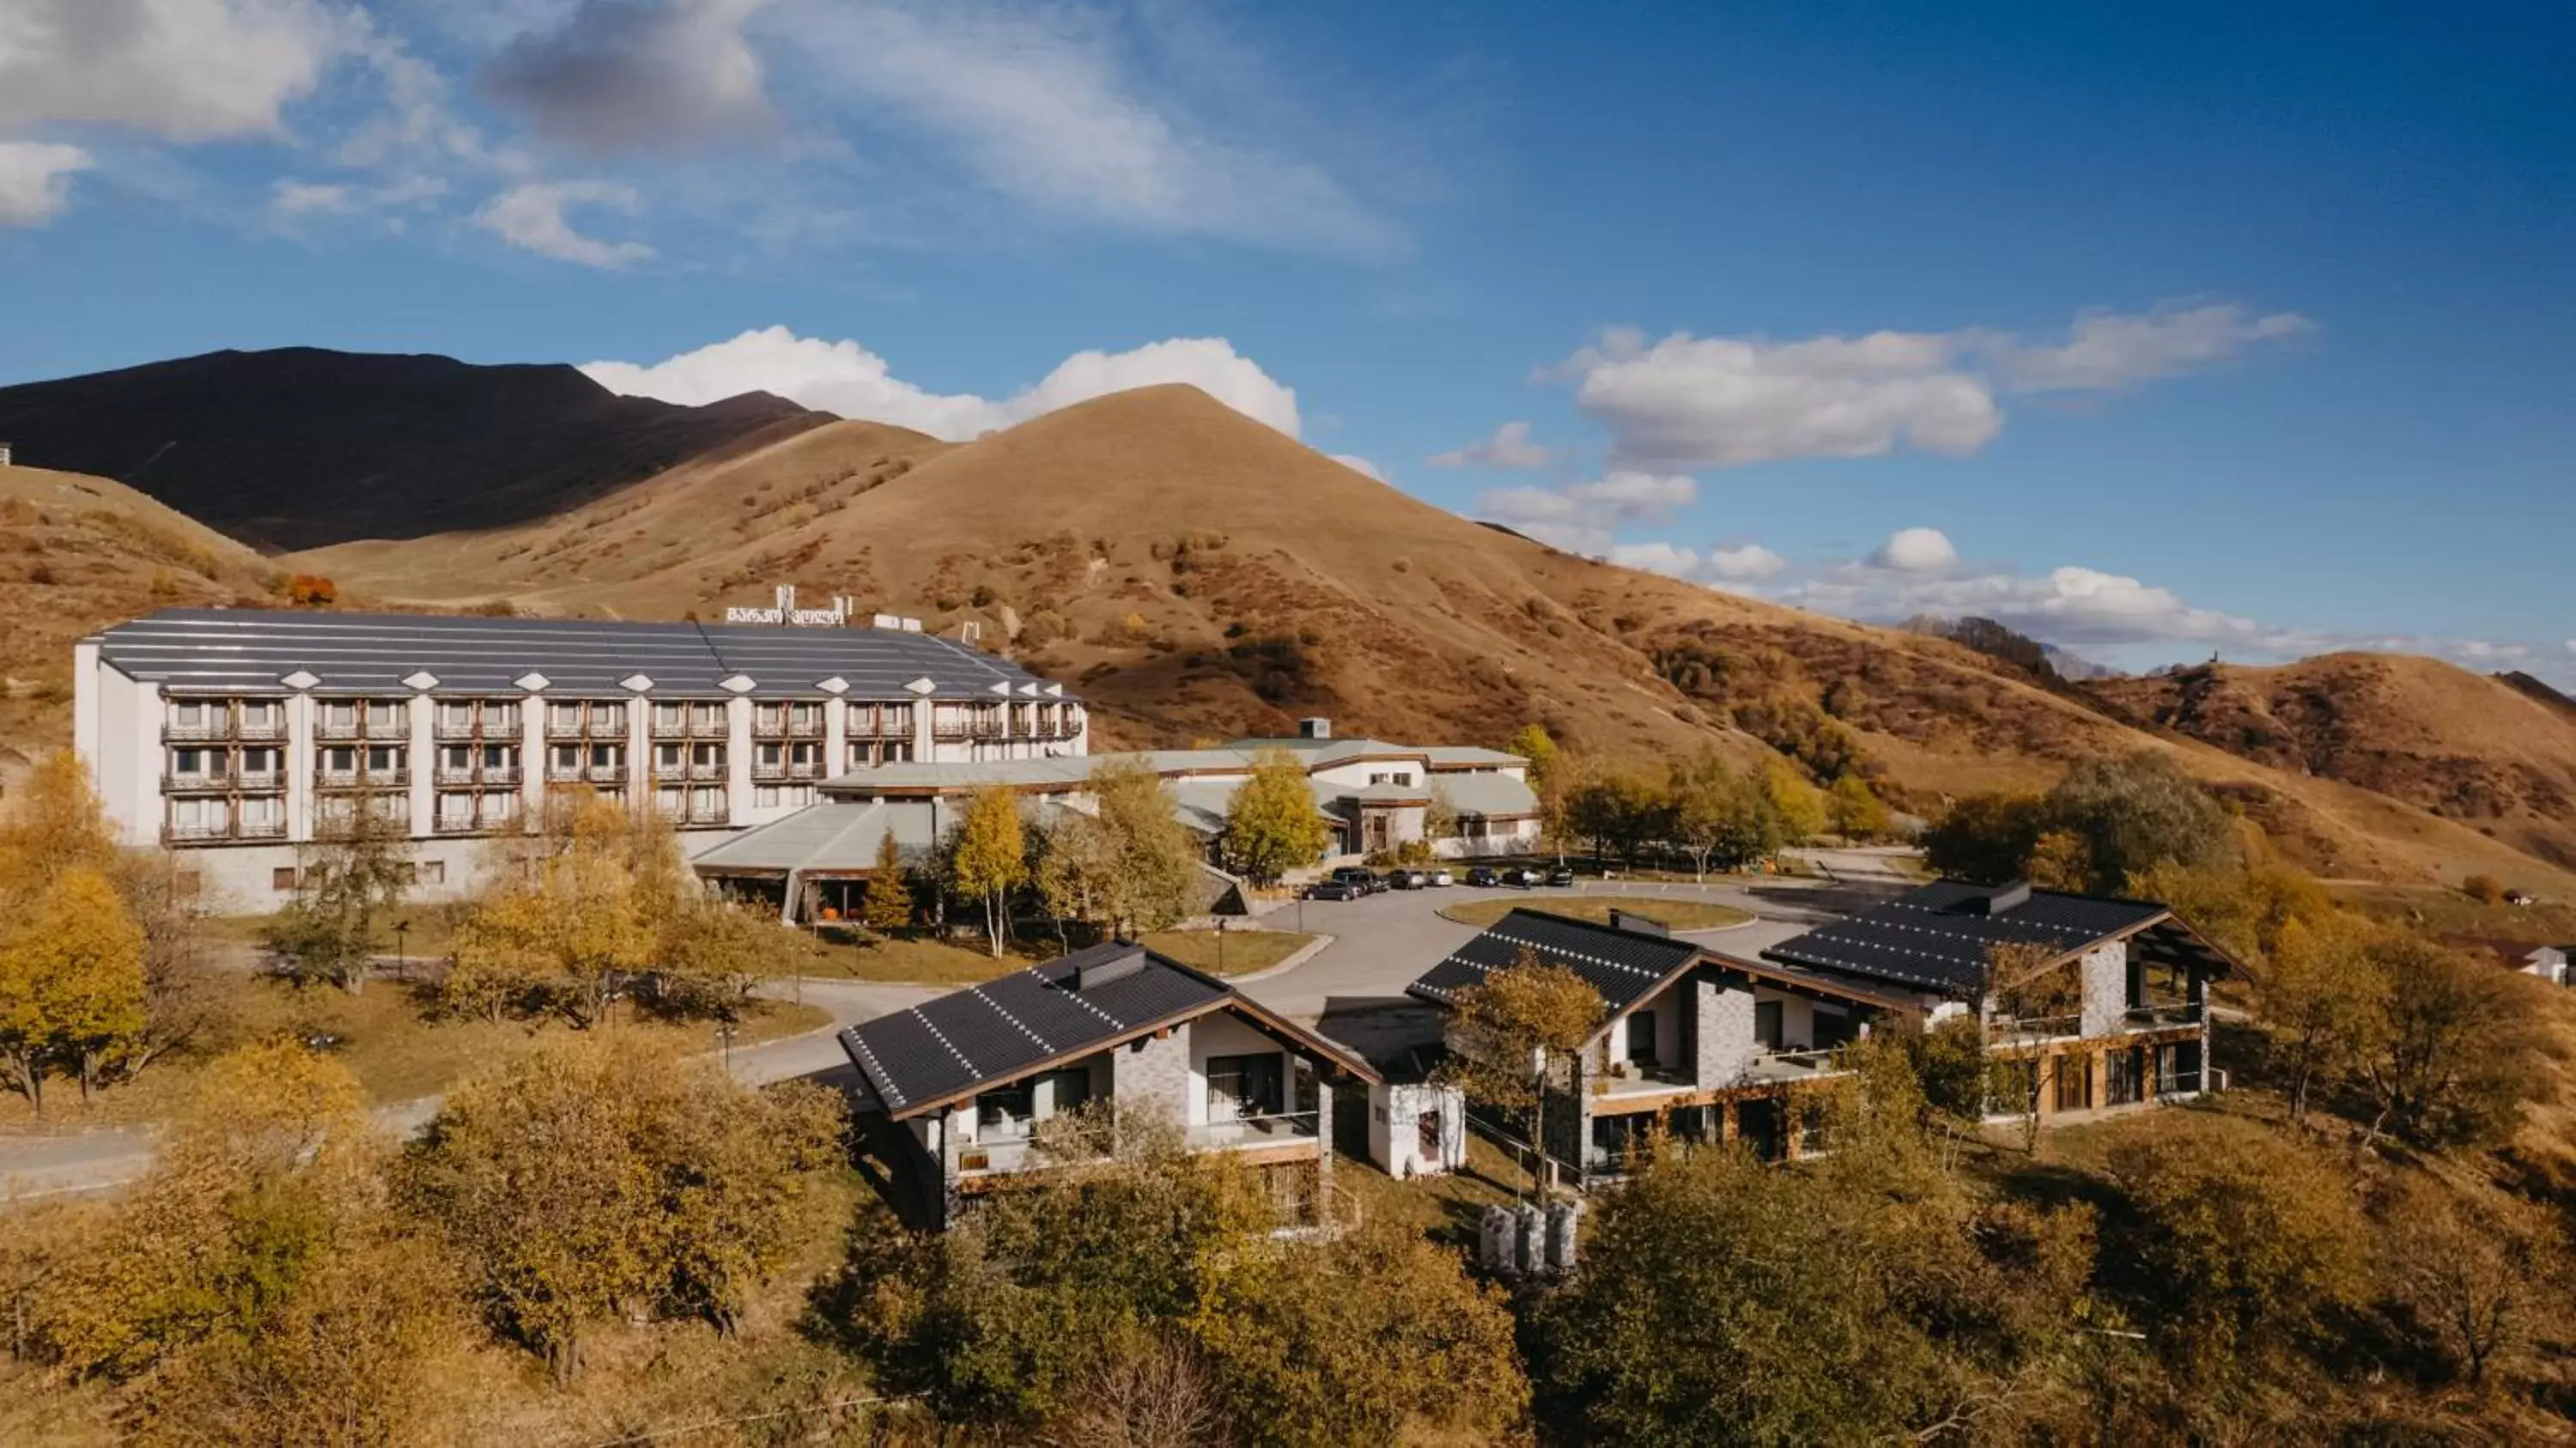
(79, 553)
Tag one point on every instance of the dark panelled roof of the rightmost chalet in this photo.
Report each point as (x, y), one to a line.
(1941, 937)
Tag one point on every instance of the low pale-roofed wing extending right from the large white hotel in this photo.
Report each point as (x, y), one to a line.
(1372, 797)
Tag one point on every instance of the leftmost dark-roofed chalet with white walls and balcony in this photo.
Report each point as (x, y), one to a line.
(957, 1094)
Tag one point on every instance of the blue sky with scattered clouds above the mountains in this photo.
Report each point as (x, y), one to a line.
(2155, 331)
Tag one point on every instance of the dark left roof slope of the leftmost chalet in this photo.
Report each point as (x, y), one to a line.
(1001, 1029)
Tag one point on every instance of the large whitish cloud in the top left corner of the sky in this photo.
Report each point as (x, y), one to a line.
(187, 71)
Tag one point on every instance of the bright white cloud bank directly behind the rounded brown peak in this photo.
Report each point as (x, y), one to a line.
(846, 377)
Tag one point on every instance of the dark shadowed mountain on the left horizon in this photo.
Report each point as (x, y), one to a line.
(303, 447)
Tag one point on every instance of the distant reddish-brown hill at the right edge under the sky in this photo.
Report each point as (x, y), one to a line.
(2433, 736)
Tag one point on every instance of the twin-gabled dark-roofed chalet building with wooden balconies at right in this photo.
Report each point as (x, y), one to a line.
(1714, 1047)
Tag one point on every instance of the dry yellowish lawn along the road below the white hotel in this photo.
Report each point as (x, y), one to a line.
(380, 1034)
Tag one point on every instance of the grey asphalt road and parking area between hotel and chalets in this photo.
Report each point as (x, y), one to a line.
(1354, 988)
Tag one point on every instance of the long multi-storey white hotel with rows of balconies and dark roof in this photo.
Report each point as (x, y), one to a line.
(238, 738)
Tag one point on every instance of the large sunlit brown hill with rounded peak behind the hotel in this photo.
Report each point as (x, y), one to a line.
(1197, 573)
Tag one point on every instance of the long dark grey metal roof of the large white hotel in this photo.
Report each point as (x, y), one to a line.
(251, 651)
